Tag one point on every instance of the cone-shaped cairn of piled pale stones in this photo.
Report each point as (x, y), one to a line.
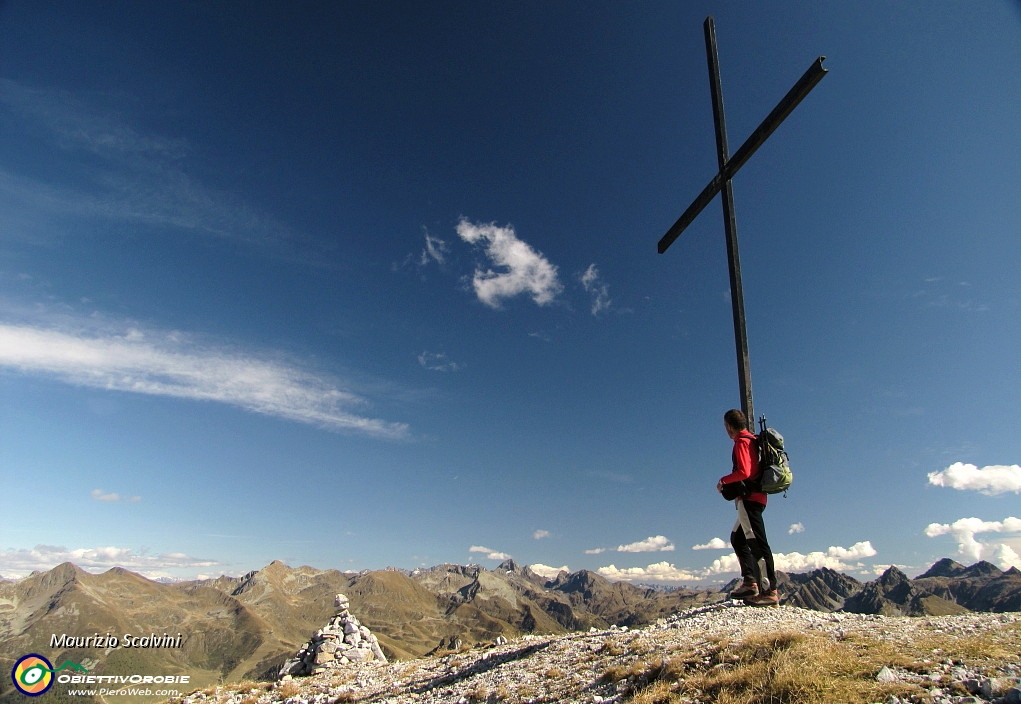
(343, 642)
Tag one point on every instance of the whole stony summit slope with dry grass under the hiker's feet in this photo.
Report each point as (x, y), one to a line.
(783, 655)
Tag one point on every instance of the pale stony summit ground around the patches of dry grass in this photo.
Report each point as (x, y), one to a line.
(614, 666)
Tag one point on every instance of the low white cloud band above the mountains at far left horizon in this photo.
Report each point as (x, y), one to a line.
(19, 564)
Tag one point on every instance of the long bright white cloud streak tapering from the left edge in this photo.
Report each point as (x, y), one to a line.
(160, 364)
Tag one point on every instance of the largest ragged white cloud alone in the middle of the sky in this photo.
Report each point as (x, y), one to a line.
(522, 270)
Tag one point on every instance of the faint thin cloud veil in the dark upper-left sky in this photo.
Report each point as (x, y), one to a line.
(124, 174)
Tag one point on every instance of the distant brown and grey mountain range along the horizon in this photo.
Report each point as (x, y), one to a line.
(245, 628)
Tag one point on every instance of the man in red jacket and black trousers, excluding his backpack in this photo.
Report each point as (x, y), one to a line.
(749, 535)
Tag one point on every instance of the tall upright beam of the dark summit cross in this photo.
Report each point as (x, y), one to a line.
(731, 226)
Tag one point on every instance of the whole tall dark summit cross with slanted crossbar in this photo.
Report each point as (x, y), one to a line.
(721, 183)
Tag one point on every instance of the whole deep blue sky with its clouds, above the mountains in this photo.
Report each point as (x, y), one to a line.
(358, 285)
